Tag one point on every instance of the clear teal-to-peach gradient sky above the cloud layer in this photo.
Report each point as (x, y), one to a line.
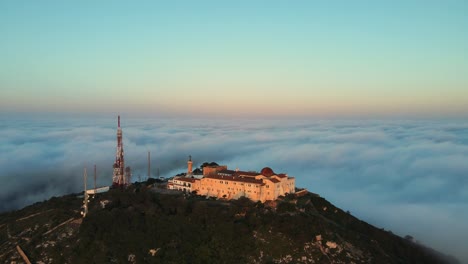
(281, 58)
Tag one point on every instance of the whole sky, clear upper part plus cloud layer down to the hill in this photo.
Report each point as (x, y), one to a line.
(365, 102)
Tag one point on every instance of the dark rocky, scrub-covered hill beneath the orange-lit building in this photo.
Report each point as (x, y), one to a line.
(146, 225)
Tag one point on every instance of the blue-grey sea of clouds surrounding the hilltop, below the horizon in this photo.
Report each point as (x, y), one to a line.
(407, 176)
